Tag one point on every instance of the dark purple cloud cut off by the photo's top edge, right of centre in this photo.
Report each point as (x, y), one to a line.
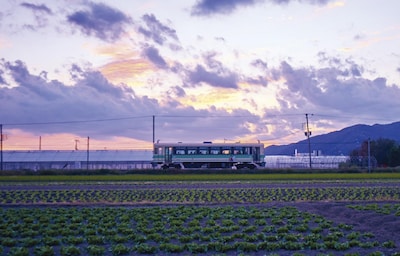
(211, 7)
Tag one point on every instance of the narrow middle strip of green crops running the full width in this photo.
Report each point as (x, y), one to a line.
(217, 195)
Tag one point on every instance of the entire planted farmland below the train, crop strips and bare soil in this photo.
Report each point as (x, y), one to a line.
(203, 215)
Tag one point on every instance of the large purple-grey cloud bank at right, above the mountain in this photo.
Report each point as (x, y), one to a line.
(337, 90)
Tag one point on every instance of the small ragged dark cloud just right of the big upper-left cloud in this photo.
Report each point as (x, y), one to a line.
(156, 31)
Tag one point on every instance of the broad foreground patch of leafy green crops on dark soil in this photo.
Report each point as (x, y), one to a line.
(183, 229)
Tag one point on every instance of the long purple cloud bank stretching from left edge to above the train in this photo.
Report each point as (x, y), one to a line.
(97, 108)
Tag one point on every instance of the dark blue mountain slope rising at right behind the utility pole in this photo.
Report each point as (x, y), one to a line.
(340, 142)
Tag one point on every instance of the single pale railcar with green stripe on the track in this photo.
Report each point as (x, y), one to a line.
(208, 155)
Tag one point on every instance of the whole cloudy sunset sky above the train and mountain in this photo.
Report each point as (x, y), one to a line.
(101, 74)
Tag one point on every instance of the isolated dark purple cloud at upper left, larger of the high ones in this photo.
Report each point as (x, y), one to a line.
(100, 20)
